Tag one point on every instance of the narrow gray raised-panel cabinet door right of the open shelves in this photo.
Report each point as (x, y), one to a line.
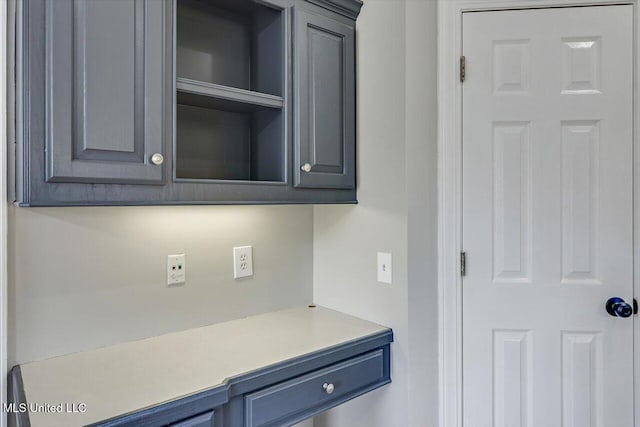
(324, 85)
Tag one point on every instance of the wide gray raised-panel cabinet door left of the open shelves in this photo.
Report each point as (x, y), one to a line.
(105, 71)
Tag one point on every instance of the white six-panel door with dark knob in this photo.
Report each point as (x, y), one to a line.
(547, 217)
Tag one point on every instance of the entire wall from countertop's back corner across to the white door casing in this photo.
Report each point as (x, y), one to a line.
(397, 213)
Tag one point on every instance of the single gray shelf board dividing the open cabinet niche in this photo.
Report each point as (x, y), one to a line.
(220, 97)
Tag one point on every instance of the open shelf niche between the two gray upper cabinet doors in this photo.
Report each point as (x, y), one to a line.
(230, 86)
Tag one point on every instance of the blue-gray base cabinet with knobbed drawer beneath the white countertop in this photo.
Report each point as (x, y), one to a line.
(278, 395)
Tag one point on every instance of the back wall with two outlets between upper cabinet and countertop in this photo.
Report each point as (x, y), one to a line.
(83, 278)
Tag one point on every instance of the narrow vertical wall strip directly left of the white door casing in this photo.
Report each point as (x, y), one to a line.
(422, 211)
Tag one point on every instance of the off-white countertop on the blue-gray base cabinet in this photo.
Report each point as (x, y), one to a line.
(127, 377)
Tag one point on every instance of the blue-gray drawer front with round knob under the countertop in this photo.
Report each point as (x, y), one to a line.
(315, 392)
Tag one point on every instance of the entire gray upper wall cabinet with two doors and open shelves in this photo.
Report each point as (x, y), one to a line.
(142, 102)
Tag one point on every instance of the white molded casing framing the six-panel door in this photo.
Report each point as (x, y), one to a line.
(450, 191)
